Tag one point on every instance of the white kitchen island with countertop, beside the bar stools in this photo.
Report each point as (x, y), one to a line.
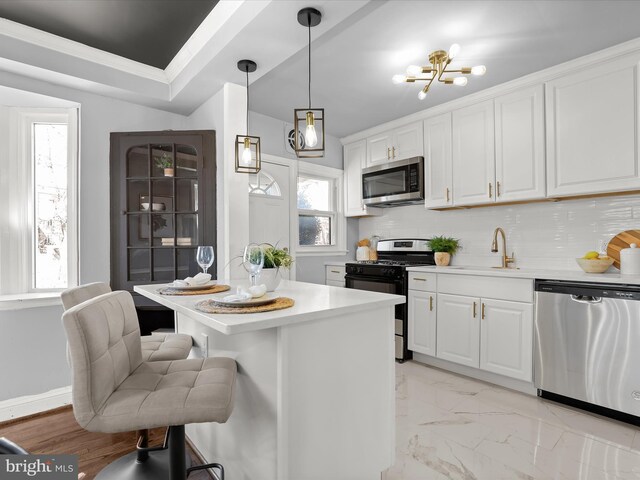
(315, 386)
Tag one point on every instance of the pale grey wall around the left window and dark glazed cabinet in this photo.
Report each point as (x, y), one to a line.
(32, 341)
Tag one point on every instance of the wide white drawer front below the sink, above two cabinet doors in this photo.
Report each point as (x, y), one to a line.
(514, 289)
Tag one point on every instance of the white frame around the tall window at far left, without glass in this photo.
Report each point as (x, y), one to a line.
(17, 245)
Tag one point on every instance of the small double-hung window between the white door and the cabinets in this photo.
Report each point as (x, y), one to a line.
(321, 224)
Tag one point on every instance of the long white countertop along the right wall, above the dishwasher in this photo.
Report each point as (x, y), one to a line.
(569, 275)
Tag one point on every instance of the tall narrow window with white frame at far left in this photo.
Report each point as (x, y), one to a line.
(38, 244)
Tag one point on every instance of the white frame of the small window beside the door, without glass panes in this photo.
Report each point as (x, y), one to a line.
(338, 220)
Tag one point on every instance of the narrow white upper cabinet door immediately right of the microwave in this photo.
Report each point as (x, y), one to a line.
(438, 161)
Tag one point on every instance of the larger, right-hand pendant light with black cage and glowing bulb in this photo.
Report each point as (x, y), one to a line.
(309, 122)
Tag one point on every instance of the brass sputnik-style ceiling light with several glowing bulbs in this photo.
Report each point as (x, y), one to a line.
(439, 62)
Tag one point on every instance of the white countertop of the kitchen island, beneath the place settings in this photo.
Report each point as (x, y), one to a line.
(313, 302)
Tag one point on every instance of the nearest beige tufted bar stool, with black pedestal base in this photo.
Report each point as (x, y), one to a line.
(115, 391)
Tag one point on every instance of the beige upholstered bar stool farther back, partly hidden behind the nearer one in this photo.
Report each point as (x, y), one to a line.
(157, 346)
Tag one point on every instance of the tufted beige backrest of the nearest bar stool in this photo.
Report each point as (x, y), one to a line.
(104, 342)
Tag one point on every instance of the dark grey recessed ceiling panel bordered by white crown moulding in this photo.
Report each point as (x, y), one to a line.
(147, 31)
